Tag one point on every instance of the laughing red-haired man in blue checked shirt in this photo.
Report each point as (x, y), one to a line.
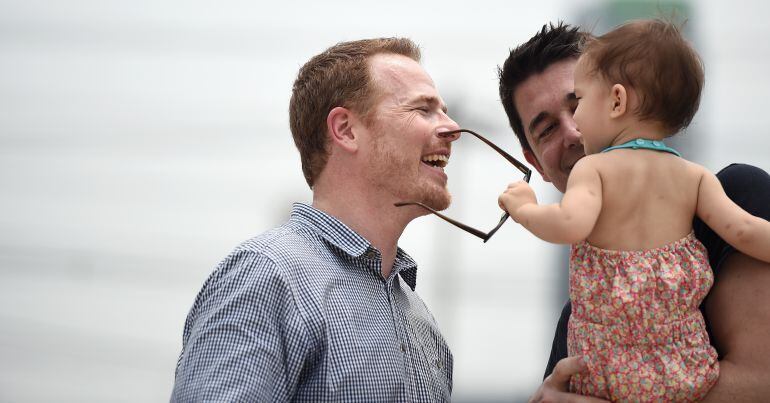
(323, 308)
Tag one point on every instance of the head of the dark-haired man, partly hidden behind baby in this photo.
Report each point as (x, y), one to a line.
(552, 53)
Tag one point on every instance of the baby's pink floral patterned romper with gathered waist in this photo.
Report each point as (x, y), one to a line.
(635, 318)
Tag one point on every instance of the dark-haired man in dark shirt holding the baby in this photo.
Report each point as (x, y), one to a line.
(537, 92)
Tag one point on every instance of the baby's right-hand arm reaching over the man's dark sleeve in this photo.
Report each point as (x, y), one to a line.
(745, 232)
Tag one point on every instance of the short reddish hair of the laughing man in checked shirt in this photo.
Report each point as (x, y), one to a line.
(339, 76)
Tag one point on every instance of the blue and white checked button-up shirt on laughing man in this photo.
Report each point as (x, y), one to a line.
(302, 313)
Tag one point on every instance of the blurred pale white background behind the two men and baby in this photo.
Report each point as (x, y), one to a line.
(140, 141)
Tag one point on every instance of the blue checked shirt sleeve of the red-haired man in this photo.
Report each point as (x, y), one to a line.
(244, 339)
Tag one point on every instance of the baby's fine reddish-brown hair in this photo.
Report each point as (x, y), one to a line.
(652, 57)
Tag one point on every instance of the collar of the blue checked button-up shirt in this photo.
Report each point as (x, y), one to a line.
(340, 235)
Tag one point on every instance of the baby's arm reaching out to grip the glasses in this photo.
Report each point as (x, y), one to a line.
(570, 221)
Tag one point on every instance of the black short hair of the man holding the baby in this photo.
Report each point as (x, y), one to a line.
(552, 44)
